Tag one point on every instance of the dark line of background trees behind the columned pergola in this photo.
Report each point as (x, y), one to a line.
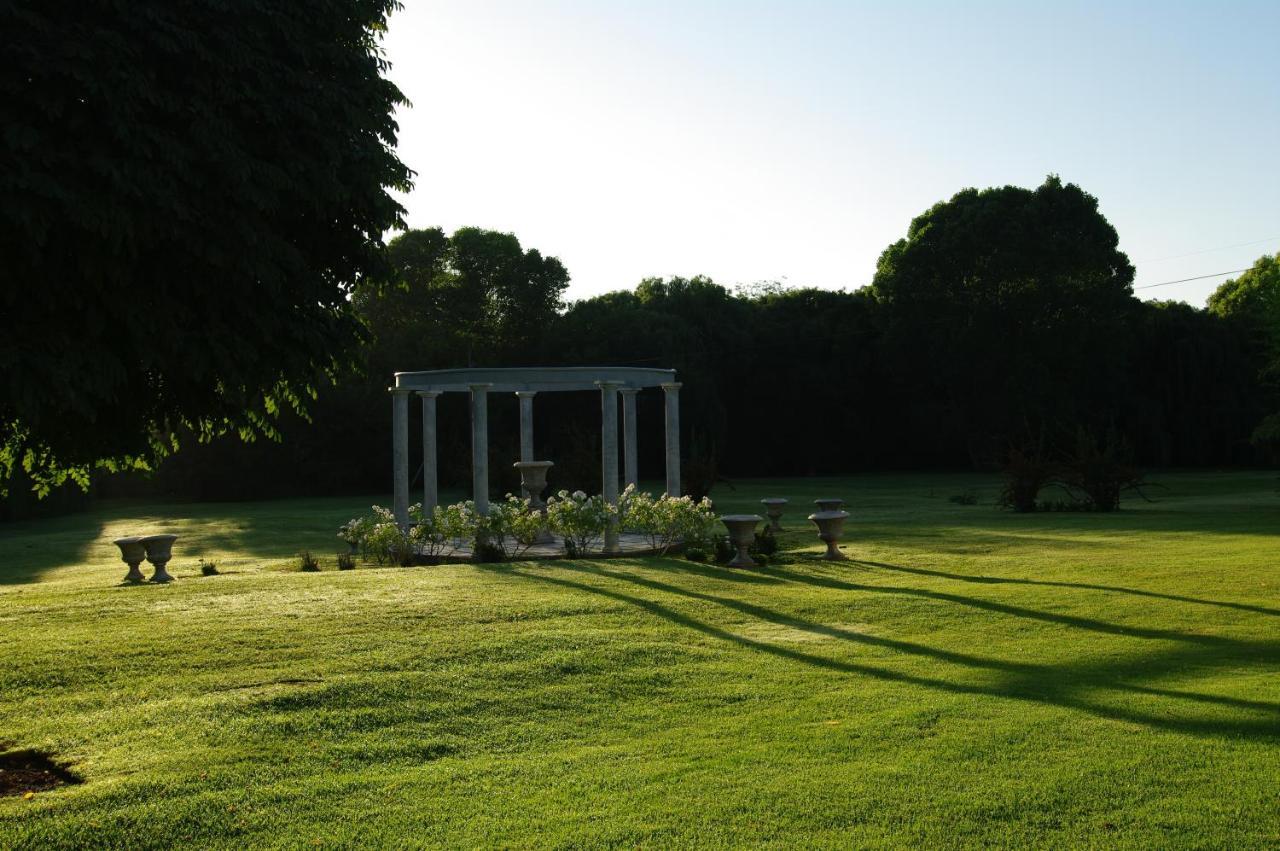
(1005, 321)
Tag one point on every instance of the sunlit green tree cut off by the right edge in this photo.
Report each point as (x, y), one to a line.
(1254, 301)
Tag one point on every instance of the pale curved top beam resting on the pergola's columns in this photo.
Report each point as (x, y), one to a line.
(533, 378)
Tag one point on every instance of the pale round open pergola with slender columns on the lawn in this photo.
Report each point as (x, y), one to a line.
(527, 383)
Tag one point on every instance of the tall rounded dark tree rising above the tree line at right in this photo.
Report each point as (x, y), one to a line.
(1007, 313)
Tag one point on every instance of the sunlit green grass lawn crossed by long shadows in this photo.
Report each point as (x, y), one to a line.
(971, 679)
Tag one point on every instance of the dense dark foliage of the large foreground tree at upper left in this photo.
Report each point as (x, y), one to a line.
(191, 191)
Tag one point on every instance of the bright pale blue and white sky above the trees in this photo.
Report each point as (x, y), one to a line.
(794, 141)
